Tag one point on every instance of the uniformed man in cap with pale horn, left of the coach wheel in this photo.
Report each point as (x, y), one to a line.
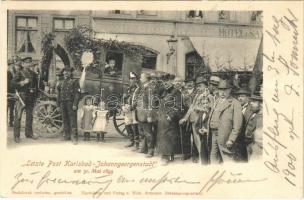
(26, 84)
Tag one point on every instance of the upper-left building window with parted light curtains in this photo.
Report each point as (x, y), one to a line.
(26, 34)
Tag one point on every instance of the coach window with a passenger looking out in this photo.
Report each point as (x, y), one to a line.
(114, 62)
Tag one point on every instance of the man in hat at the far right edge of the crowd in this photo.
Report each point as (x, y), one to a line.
(254, 128)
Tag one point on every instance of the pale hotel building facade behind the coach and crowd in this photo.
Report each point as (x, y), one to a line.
(178, 41)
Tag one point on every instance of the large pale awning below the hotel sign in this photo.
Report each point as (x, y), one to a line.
(227, 53)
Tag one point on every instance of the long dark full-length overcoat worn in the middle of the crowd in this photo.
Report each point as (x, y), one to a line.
(168, 133)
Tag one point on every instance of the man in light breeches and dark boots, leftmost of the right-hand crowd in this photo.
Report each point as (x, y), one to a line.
(131, 122)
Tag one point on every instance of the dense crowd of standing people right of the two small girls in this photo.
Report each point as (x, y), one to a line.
(208, 120)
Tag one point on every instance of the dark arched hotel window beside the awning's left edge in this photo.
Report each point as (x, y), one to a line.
(193, 65)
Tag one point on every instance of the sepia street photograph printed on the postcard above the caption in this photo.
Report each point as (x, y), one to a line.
(172, 84)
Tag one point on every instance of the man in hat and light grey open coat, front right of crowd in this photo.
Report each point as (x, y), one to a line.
(225, 122)
